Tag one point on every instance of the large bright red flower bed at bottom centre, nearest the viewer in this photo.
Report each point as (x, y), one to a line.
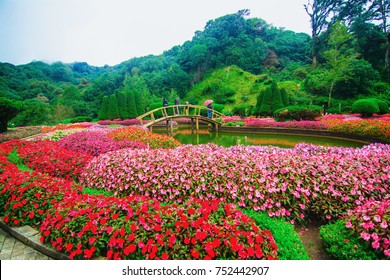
(137, 228)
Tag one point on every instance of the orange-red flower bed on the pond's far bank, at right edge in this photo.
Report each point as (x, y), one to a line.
(370, 128)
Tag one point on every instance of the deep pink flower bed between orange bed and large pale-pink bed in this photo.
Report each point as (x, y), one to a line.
(96, 143)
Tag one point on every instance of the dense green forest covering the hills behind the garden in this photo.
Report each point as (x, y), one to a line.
(233, 60)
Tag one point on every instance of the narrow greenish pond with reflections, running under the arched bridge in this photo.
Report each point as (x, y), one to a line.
(227, 139)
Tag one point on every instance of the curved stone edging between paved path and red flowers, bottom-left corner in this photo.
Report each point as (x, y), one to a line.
(31, 238)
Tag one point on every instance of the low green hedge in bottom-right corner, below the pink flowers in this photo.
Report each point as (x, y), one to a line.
(343, 244)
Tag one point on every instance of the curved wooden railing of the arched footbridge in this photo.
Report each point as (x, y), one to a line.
(177, 111)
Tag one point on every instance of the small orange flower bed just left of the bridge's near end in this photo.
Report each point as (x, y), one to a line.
(142, 135)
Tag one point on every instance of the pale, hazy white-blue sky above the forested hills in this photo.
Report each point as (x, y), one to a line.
(109, 32)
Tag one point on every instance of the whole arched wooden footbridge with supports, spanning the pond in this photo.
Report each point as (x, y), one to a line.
(194, 112)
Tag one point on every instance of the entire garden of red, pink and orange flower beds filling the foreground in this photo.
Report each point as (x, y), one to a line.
(95, 192)
